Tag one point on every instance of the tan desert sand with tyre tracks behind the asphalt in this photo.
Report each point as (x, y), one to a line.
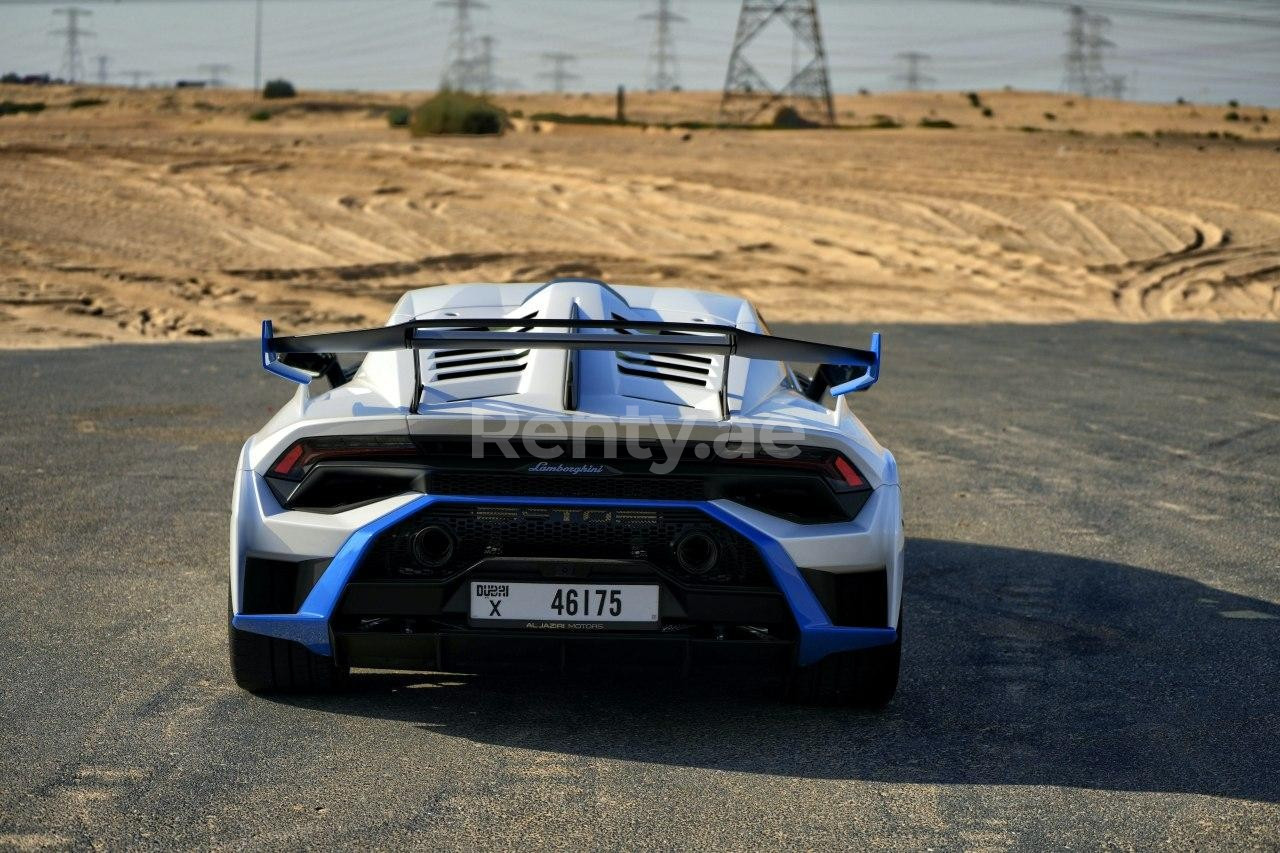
(172, 216)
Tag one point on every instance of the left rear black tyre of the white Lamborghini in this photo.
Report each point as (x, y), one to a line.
(269, 665)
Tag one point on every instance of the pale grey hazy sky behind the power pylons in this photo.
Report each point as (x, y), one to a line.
(401, 44)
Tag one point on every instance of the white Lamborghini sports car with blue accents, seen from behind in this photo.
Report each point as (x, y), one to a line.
(569, 476)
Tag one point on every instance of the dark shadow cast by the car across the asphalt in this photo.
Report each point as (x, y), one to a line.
(1021, 668)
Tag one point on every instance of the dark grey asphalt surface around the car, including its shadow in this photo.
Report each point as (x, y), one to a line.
(1092, 632)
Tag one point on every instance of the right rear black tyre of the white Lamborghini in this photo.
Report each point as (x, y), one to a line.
(865, 678)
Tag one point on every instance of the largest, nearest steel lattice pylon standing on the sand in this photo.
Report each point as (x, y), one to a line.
(748, 93)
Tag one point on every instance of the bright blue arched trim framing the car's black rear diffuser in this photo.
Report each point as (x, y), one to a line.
(310, 626)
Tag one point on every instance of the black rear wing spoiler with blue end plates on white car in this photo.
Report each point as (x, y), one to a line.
(303, 358)
